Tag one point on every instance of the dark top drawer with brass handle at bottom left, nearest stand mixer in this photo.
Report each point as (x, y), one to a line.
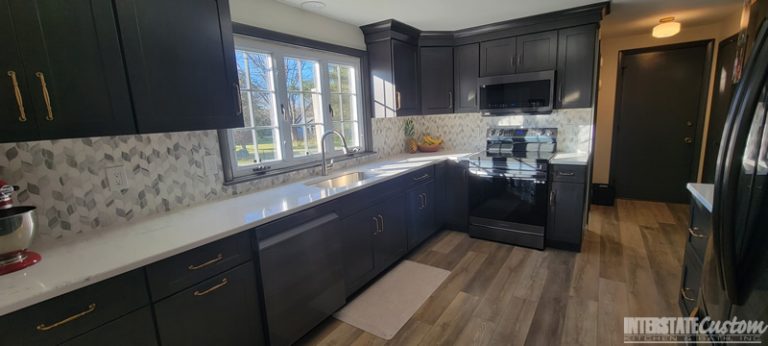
(64, 317)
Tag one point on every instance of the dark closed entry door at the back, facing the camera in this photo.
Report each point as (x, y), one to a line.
(660, 99)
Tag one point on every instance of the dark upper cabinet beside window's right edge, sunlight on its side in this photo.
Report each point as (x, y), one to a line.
(394, 67)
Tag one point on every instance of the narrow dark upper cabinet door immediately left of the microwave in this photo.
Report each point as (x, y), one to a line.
(466, 61)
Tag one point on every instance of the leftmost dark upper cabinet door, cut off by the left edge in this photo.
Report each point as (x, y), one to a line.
(16, 121)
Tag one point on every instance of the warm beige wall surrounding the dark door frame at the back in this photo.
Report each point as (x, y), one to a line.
(609, 49)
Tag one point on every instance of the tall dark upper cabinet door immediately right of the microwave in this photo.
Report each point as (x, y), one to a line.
(576, 66)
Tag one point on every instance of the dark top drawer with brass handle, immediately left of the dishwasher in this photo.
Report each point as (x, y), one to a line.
(181, 271)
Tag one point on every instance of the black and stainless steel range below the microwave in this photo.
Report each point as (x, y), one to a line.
(508, 186)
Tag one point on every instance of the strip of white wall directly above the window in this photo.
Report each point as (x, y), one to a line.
(272, 15)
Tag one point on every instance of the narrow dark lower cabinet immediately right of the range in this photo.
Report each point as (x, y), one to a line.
(567, 200)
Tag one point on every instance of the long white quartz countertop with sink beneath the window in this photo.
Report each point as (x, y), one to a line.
(74, 263)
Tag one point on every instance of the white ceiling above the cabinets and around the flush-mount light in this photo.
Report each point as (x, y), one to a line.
(627, 16)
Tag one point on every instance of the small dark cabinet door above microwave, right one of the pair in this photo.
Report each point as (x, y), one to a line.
(537, 52)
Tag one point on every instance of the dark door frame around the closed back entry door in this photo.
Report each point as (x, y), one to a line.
(694, 165)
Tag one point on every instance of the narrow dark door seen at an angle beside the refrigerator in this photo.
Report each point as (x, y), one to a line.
(721, 100)
